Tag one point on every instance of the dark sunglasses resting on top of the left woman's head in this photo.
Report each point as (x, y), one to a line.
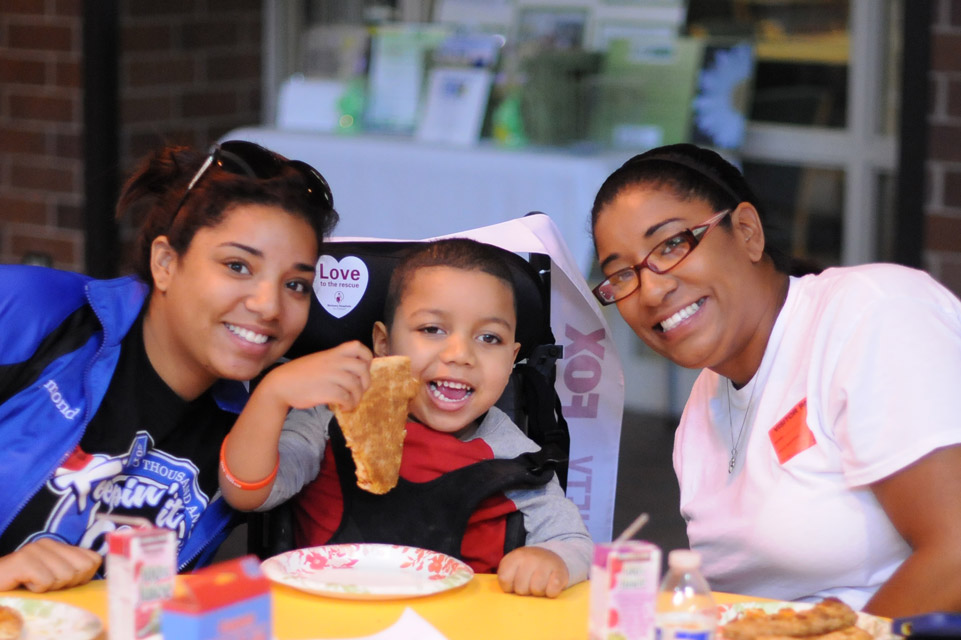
(243, 158)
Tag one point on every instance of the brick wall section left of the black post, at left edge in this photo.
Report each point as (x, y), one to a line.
(41, 100)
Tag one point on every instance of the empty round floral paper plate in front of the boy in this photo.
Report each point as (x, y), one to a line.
(367, 571)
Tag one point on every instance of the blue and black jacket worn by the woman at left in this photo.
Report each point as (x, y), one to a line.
(68, 328)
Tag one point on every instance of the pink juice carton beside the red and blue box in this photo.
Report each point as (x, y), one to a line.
(141, 566)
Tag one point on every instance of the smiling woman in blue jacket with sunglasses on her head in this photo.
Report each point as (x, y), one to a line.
(116, 395)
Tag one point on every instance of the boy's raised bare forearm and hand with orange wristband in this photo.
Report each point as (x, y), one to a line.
(336, 376)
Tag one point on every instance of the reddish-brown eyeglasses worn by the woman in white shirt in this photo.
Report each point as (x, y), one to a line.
(663, 257)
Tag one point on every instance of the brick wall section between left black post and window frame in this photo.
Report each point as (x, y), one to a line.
(190, 71)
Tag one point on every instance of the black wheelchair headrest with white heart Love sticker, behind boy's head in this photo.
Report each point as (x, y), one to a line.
(350, 287)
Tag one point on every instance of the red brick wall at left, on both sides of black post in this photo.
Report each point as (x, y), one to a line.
(189, 71)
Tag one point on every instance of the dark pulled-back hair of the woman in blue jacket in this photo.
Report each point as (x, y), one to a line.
(150, 197)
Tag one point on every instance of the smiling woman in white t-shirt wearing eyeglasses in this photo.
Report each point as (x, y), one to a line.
(819, 453)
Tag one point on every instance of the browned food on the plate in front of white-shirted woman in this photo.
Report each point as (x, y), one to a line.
(829, 619)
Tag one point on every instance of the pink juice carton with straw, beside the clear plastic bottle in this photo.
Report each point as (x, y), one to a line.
(623, 591)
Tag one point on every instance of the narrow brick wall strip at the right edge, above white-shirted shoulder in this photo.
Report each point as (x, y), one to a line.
(942, 243)
